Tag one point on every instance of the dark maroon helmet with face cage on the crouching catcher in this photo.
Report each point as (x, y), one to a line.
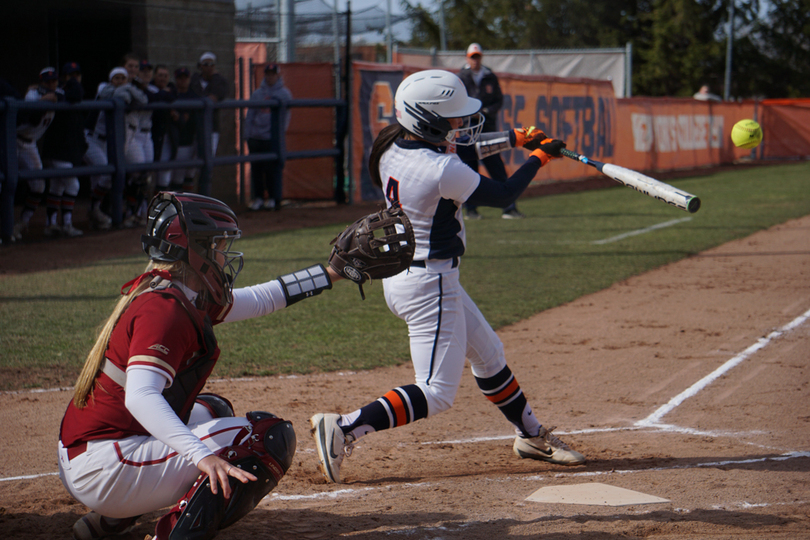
(199, 231)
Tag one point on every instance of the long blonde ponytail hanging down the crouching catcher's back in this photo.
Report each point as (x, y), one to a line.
(95, 359)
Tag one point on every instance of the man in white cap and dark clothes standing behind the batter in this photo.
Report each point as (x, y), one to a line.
(482, 84)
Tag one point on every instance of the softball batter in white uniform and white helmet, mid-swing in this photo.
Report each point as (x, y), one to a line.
(414, 163)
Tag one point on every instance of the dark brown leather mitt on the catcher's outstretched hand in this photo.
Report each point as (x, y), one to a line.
(360, 256)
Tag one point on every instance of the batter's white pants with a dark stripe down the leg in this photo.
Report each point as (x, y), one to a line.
(444, 326)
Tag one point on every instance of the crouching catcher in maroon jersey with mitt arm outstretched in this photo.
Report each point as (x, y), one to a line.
(138, 435)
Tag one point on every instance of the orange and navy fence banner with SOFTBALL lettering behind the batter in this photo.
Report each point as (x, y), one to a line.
(644, 134)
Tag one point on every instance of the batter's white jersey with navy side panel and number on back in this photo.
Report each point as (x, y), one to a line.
(430, 185)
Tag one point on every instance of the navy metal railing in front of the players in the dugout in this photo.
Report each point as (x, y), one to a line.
(117, 166)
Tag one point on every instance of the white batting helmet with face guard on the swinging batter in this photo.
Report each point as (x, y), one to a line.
(425, 100)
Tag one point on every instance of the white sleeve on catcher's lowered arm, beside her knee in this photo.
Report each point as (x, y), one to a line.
(145, 401)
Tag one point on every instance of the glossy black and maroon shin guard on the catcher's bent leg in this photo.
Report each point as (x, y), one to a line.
(265, 449)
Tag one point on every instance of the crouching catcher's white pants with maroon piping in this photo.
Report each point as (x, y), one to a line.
(121, 478)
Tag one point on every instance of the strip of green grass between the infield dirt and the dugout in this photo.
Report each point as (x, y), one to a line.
(512, 269)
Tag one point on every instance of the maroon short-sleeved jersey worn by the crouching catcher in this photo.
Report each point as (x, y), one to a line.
(157, 330)
